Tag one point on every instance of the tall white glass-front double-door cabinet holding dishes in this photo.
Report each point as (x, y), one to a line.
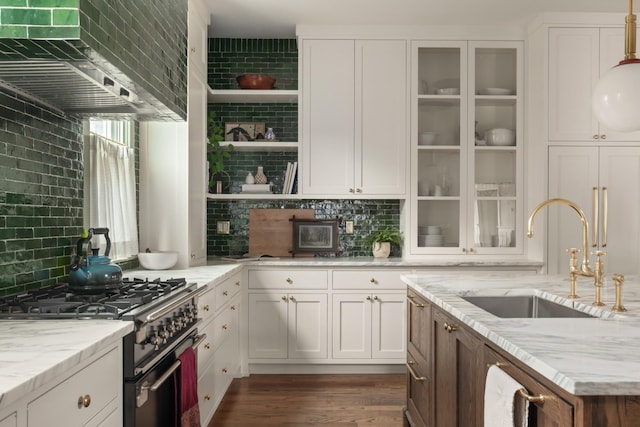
(467, 148)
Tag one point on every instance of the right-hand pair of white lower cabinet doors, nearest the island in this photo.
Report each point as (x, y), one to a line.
(369, 325)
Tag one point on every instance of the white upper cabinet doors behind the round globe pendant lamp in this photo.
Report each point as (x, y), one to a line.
(578, 57)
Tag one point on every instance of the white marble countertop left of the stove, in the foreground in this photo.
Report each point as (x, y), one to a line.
(34, 352)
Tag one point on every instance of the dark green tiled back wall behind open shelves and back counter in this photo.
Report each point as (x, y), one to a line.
(229, 58)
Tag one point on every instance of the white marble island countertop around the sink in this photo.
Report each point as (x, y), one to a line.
(584, 356)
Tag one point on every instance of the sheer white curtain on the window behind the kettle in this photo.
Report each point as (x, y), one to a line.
(111, 193)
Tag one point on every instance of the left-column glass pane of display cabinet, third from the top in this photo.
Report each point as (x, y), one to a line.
(438, 173)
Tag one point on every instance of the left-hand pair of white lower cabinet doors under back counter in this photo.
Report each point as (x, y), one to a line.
(287, 325)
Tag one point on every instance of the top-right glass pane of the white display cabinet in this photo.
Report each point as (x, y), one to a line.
(496, 71)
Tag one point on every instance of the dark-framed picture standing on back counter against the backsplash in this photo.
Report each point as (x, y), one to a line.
(315, 236)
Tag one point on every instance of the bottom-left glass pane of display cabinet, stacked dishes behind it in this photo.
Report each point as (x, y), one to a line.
(438, 223)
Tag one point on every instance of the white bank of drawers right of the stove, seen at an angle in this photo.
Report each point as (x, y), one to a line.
(219, 353)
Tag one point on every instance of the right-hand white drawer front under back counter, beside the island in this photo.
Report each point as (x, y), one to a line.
(372, 279)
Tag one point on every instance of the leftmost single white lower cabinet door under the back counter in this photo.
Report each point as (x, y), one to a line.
(267, 325)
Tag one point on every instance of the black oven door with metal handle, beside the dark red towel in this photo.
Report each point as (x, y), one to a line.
(150, 399)
